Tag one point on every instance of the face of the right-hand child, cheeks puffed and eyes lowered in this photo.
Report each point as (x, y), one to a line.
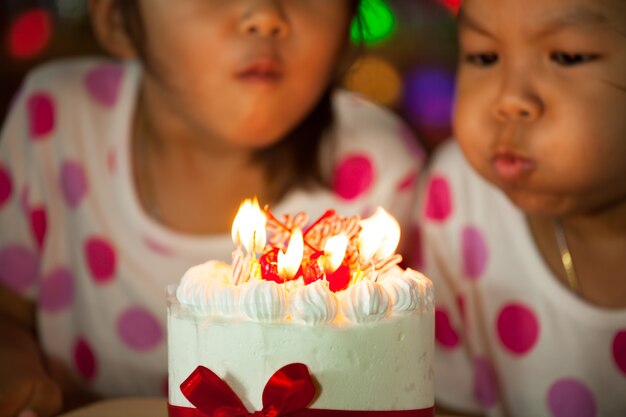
(541, 100)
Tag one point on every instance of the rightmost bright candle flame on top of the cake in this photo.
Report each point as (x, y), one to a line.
(379, 237)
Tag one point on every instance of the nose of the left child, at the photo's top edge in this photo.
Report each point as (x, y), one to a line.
(264, 18)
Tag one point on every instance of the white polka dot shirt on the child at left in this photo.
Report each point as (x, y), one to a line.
(74, 238)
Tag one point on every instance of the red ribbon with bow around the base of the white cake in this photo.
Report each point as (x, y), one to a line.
(287, 394)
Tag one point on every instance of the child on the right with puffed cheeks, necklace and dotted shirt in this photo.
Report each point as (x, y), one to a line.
(525, 217)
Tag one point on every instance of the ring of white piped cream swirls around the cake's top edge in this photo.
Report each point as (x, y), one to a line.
(210, 291)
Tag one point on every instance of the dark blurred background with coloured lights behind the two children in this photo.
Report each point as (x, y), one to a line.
(407, 65)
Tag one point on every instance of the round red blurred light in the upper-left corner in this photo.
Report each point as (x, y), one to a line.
(30, 33)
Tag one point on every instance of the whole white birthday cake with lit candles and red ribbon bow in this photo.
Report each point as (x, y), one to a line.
(309, 319)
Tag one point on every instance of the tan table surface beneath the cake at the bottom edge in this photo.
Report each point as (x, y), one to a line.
(130, 407)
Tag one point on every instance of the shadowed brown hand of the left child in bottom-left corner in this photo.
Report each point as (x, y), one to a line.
(26, 390)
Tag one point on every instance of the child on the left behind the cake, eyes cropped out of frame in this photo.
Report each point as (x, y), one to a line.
(115, 177)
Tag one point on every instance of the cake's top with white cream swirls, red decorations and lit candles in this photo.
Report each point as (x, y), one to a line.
(334, 269)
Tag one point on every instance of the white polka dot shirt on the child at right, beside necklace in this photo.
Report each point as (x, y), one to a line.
(510, 339)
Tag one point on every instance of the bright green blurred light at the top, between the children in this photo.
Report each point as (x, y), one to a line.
(379, 23)
